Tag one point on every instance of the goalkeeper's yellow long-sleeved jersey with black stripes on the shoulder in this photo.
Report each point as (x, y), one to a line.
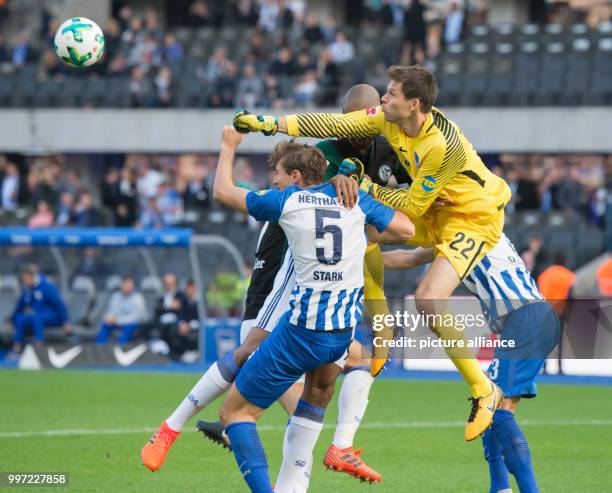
(440, 160)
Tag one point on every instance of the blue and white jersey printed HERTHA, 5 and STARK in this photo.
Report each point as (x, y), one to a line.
(327, 243)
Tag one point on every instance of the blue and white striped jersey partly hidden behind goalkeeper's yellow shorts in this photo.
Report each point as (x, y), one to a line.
(501, 282)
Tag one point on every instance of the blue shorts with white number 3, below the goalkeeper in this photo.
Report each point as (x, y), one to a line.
(535, 329)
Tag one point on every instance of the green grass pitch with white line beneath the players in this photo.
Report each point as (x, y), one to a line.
(412, 433)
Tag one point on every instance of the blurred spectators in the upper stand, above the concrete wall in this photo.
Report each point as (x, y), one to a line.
(285, 57)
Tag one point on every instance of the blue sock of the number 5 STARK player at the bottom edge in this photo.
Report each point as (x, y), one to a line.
(250, 456)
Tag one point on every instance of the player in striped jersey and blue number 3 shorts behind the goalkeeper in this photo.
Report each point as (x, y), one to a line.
(517, 312)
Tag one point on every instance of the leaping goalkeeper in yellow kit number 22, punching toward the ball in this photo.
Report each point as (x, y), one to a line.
(443, 165)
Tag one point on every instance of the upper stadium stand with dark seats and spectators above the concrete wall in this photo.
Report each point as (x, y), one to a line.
(191, 65)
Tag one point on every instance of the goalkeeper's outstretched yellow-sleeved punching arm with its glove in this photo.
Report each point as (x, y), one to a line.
(363, 123)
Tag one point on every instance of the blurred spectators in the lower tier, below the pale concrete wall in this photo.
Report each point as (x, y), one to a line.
(150, 191)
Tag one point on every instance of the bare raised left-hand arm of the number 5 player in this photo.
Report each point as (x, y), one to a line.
(224, 189)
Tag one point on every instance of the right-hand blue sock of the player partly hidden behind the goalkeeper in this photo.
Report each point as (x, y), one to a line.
(514, 449)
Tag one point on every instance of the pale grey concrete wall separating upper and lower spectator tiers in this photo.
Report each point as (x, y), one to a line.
(490, 130)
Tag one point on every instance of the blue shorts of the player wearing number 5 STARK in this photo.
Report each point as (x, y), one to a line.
(287, 354)
